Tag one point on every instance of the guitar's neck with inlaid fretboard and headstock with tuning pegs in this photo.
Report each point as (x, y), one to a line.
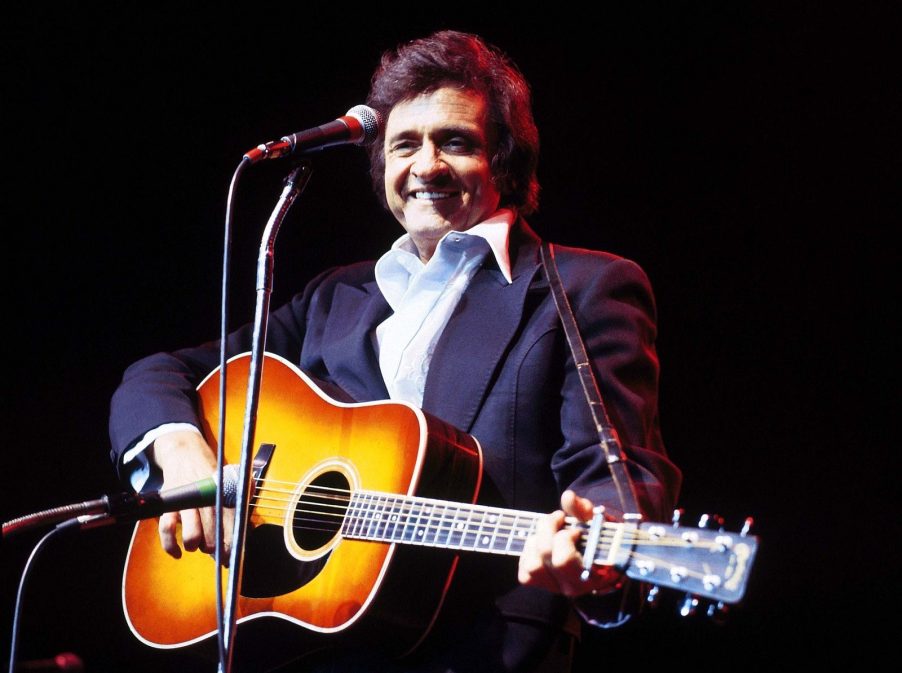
(710, 563)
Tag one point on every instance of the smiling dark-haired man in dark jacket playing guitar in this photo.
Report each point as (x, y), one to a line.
(456, 318)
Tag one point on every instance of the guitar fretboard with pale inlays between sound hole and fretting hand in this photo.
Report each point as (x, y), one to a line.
(383, 517)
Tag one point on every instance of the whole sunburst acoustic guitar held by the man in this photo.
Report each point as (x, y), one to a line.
(349, 498)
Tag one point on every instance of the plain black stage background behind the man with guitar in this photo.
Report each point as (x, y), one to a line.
(742, 153)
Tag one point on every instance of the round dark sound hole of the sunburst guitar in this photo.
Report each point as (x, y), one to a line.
(321, 510)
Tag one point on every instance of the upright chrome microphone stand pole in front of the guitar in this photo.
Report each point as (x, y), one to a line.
(294, 185)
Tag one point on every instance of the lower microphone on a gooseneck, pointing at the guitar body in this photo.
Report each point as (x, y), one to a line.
(135, 506)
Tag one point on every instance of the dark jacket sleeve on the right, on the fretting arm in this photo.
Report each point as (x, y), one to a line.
(615, 310)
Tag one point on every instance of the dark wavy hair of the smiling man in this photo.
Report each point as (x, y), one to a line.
(461, 60)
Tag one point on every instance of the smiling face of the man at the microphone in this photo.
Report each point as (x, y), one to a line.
(437, 165)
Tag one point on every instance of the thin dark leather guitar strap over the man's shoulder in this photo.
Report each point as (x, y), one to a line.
(607, 435)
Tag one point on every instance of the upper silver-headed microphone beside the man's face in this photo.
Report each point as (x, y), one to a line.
(359, 126)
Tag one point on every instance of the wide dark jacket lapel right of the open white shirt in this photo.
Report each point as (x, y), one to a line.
(473, 344)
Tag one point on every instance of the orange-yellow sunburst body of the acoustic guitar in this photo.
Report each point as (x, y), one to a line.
(331, 586)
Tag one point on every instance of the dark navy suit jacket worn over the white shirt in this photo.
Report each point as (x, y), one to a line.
(501, 371)
